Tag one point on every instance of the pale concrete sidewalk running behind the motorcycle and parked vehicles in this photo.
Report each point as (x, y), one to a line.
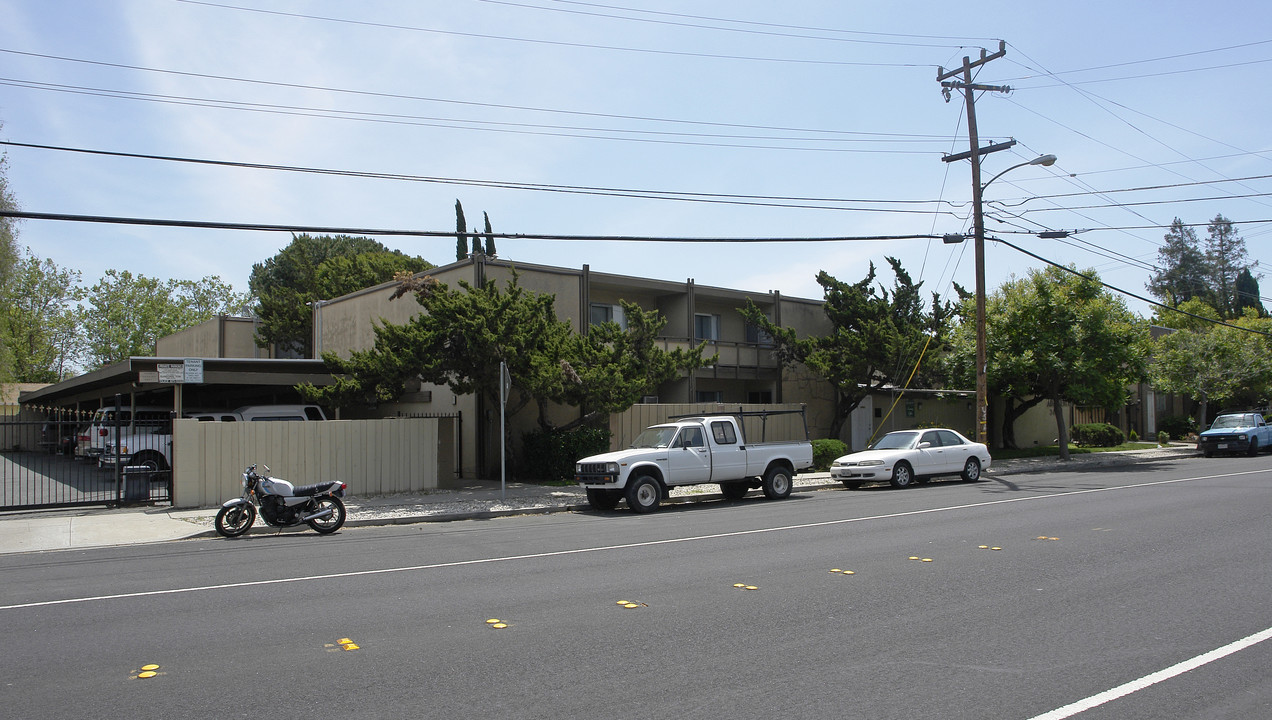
(83, 529)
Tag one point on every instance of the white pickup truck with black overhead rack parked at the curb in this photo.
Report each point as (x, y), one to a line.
(691, 451)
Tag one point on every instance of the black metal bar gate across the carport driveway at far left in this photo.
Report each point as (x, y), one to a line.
(44, 465)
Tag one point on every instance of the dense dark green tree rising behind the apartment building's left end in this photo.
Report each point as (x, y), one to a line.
(314, 269)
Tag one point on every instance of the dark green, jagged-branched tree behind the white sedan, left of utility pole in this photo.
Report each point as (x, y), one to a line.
(876, 340)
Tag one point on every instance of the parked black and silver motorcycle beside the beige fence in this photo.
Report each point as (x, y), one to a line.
(283, 506)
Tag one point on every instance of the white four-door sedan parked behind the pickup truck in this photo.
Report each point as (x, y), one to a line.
(906, 456)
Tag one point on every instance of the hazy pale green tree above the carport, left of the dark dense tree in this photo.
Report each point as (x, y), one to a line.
(125, 315)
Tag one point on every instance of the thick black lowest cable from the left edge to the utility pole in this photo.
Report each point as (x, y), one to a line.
(382, 232)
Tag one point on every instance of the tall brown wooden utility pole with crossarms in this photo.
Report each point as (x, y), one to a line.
(983, 389)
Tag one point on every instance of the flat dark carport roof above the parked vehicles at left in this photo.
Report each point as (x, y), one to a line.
(127, 377)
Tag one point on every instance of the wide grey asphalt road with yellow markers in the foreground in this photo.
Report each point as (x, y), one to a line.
(1102, 581)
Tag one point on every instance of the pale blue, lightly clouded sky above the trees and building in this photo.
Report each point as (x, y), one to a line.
(639, 119)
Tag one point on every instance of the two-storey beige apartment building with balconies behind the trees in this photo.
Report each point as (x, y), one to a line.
(746, 371)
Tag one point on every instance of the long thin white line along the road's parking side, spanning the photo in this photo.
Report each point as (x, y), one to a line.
(611, 548)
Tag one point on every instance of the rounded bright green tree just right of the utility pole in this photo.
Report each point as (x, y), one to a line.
(1059, 336)
